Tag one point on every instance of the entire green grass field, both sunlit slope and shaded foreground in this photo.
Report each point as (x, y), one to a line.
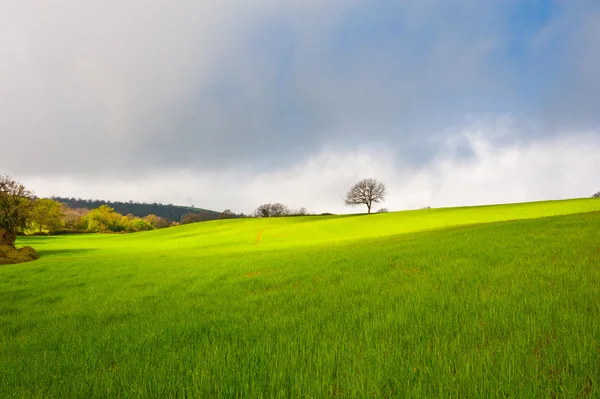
(496, 301)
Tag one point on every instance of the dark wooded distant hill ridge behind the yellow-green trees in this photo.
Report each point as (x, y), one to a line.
(170, 211)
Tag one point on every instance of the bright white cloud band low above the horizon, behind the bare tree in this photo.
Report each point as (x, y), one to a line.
(552, 168)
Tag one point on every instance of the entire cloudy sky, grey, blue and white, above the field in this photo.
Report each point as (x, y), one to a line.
(234, 103)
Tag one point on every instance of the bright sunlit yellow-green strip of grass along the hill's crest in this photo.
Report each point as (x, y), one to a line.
(270, 233)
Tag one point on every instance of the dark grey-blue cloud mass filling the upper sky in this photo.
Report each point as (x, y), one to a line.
(96, 87)
